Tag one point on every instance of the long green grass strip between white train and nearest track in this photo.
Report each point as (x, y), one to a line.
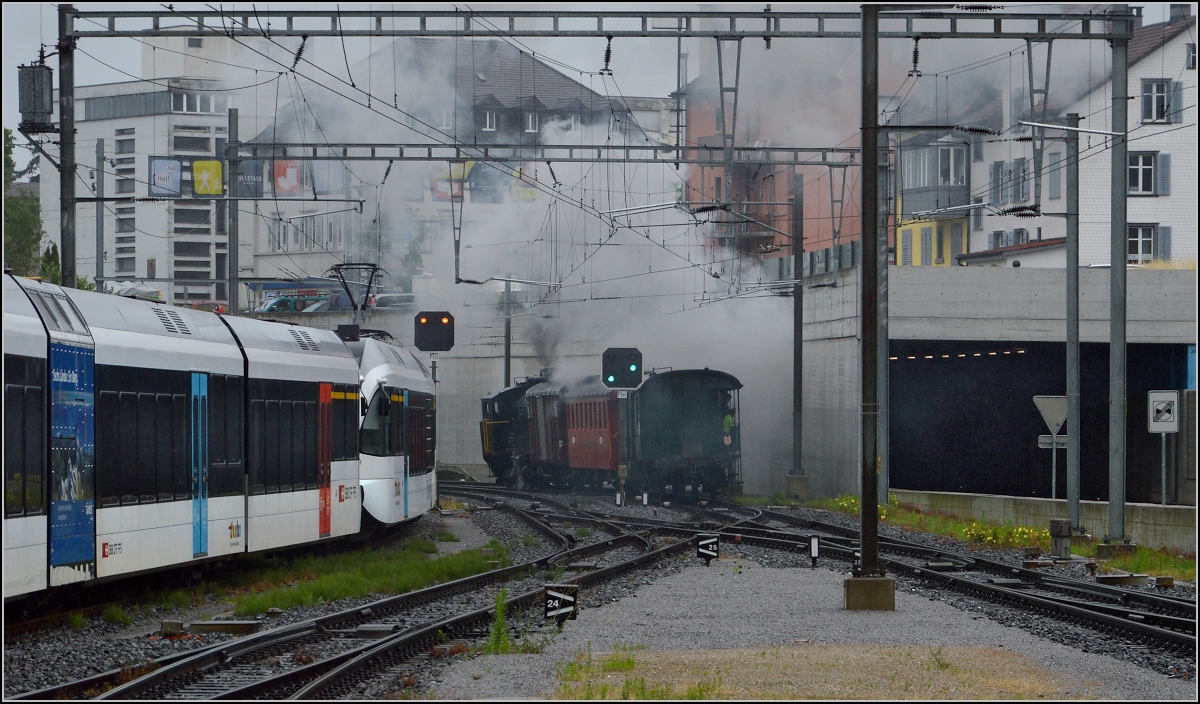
(308, 581)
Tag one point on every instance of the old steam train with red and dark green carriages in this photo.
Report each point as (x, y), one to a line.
(676, 435)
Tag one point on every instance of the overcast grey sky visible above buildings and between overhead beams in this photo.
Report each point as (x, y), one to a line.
(640, 67)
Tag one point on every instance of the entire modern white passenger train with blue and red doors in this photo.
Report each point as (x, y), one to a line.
(141, 436)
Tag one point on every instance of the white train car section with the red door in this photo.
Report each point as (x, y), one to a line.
(303, 467)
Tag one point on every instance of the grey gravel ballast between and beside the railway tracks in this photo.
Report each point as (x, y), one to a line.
(749, 598)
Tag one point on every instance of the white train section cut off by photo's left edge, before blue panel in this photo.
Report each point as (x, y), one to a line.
(26, 395)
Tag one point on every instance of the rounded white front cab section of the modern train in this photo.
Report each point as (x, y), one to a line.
(398, 431)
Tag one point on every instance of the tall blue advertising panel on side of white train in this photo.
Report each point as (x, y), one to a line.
(73, 464)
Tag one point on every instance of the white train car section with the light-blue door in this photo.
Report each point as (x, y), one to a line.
(170, 435)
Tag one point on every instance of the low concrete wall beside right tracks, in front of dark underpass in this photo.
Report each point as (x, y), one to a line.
(1157, 527)
